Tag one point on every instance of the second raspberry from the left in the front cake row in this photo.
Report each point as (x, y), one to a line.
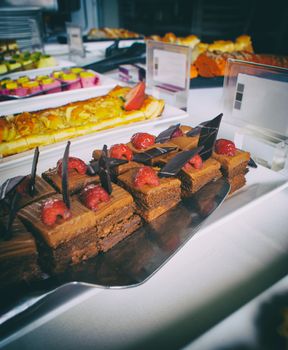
(92, 195)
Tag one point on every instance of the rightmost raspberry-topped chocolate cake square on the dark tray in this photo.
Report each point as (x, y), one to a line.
(234, 163)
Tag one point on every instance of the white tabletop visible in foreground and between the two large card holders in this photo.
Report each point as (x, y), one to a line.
(226, 264)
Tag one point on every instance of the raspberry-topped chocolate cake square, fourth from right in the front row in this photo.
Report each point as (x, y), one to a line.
(115, 214)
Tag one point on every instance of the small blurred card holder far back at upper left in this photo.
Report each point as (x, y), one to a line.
(75, 40)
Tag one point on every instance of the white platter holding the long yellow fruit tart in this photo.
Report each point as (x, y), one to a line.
(83, 146)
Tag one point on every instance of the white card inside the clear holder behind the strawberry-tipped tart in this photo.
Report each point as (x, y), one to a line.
(169, 68)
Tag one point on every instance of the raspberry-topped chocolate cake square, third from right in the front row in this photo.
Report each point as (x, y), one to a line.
(153, 195)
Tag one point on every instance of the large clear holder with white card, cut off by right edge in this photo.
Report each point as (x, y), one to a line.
(255, 100)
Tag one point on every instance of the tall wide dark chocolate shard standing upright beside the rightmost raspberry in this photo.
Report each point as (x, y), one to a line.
(208, 136)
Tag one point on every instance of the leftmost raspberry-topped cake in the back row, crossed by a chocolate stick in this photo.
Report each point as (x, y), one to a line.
(78, 176)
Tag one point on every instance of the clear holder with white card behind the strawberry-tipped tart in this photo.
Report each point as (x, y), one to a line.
(168, 72)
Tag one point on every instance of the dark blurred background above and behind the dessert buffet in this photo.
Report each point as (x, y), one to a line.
(266, 22)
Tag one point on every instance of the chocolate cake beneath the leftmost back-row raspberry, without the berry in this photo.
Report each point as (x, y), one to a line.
(76, 181)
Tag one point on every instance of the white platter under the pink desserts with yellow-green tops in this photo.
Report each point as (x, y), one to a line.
(58, 98)
